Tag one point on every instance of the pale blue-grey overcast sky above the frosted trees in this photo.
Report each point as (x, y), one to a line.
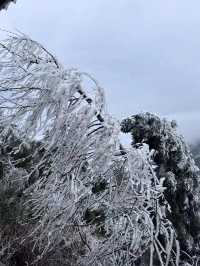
(145, 53)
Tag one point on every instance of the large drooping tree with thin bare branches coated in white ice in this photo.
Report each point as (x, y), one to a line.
(76, 196)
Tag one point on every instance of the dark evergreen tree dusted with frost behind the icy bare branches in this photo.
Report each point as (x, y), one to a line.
(182, 179)
